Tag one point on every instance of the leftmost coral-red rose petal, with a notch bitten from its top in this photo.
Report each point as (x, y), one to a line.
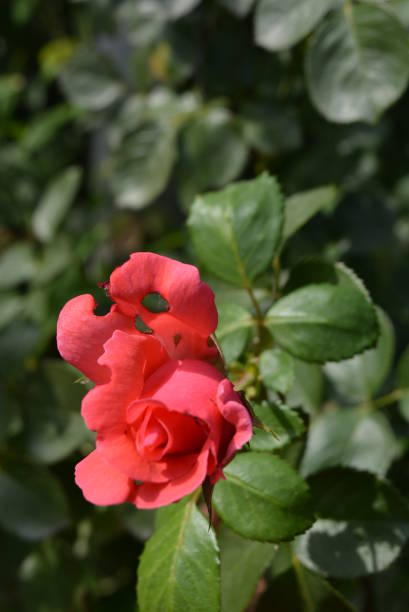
(81, 335)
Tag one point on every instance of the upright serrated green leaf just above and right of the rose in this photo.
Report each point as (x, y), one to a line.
(239, 226)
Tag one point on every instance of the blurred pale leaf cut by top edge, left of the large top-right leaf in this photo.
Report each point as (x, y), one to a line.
(279, 24)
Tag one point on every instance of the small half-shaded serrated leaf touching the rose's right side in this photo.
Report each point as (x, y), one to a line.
(281, 426)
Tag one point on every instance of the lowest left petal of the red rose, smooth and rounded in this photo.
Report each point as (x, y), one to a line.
(101, 483)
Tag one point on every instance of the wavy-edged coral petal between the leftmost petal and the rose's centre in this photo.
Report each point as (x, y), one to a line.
(129, 358)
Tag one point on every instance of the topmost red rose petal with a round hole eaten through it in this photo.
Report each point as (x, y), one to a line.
(191, 302)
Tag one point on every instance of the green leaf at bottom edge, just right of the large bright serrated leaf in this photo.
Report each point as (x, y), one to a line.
(242, 562)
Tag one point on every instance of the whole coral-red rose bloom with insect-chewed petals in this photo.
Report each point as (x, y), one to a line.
(166, 419)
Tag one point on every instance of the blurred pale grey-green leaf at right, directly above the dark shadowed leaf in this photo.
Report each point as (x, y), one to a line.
(350, 438)
